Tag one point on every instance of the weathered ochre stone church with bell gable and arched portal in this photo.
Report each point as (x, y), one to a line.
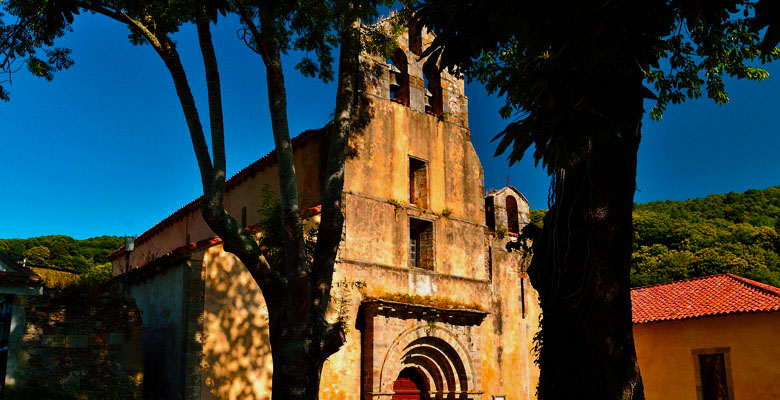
(437, 307)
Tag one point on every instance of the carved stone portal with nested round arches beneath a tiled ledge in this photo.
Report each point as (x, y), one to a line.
(439, 345)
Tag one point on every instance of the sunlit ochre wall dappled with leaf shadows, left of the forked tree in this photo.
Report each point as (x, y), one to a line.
(237, 355)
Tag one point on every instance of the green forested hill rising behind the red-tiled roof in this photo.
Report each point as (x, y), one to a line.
(734, 232)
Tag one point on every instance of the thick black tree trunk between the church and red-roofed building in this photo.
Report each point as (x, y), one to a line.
(581, 269)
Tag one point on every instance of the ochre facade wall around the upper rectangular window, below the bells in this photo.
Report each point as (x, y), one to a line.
(380, 166)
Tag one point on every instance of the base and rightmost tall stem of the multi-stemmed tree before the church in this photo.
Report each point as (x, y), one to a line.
(301, 338)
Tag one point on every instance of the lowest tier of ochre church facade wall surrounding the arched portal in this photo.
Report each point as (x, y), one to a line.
(502, 343)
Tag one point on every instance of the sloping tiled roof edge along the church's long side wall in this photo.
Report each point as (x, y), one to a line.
(237, 178)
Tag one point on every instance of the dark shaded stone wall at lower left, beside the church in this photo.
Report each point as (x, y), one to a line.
(76, 342)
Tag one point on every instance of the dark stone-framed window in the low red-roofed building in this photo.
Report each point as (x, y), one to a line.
(713, 374)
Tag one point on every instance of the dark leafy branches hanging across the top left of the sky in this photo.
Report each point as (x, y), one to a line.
(29, 28)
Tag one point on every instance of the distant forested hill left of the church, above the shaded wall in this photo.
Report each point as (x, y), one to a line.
(61, 251)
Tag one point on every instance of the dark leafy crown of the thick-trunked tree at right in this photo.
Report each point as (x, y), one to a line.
(576, 74)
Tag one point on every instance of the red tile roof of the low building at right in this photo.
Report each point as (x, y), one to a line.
(707, 296)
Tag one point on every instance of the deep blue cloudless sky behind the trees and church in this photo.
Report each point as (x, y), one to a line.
(103, 149)
